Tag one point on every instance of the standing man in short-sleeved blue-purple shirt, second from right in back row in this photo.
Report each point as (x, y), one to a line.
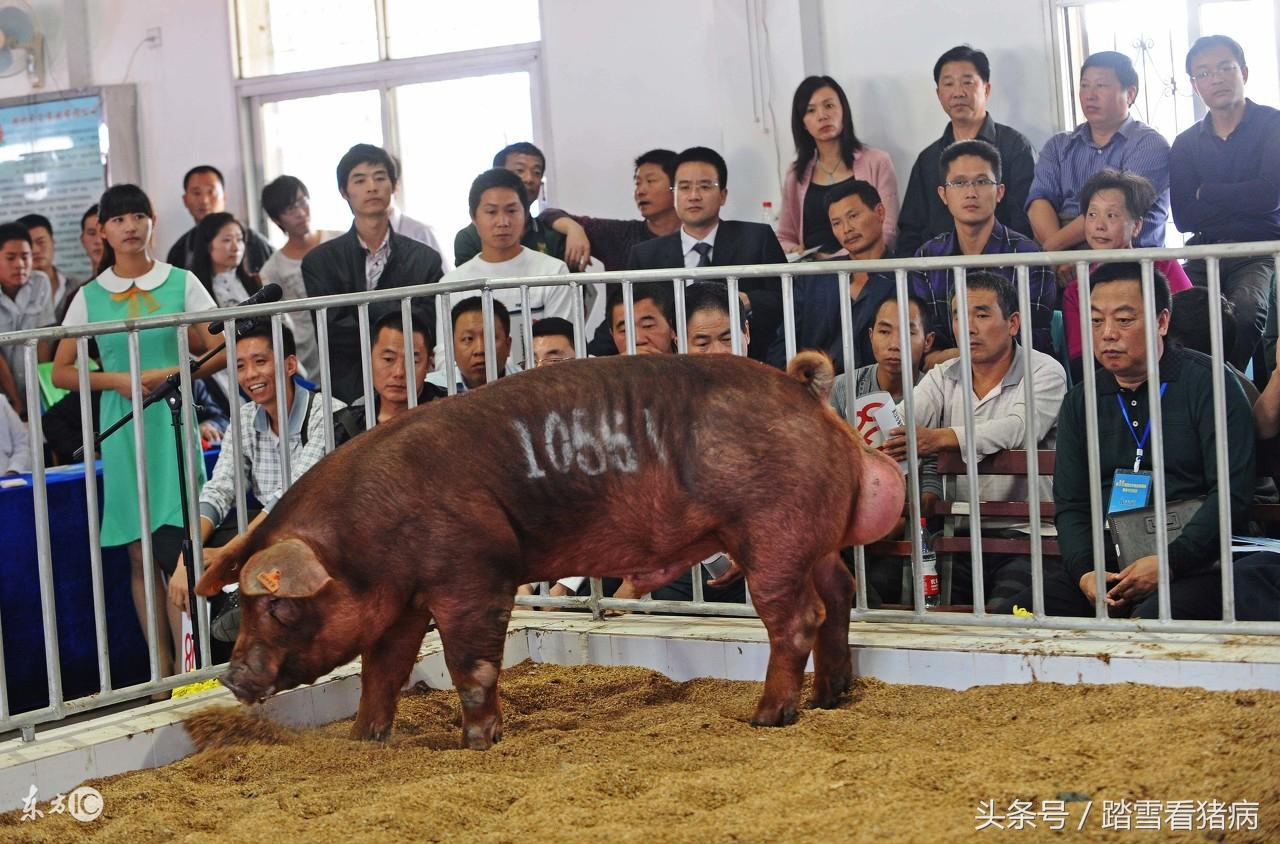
(1108, 139)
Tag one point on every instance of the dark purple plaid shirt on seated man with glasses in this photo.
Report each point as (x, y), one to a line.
(936, 286)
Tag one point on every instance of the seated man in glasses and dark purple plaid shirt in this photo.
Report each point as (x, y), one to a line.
(972, 189)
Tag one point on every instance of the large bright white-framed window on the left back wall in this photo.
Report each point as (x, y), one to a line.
(318, 76)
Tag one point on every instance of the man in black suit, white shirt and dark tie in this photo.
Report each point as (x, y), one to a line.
(700, 179)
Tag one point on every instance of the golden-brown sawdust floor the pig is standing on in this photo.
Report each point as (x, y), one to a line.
(625, 755)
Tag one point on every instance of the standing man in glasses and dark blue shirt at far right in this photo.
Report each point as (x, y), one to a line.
(1224, 176)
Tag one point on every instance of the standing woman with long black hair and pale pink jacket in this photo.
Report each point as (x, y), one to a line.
(828, 154)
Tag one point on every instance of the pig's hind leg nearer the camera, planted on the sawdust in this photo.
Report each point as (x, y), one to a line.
(792, 613)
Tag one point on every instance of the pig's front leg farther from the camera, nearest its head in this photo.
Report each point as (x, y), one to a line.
(385, 670)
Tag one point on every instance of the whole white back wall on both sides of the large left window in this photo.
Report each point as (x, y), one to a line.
(620, 77)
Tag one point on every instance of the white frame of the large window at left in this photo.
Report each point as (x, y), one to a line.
(383, 76)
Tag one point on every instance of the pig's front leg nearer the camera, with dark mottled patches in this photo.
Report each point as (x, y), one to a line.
(474, 638)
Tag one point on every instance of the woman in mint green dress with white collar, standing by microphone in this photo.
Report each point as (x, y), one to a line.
(132, 285)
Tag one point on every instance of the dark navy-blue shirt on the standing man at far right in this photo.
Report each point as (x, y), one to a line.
(1238, 180)
